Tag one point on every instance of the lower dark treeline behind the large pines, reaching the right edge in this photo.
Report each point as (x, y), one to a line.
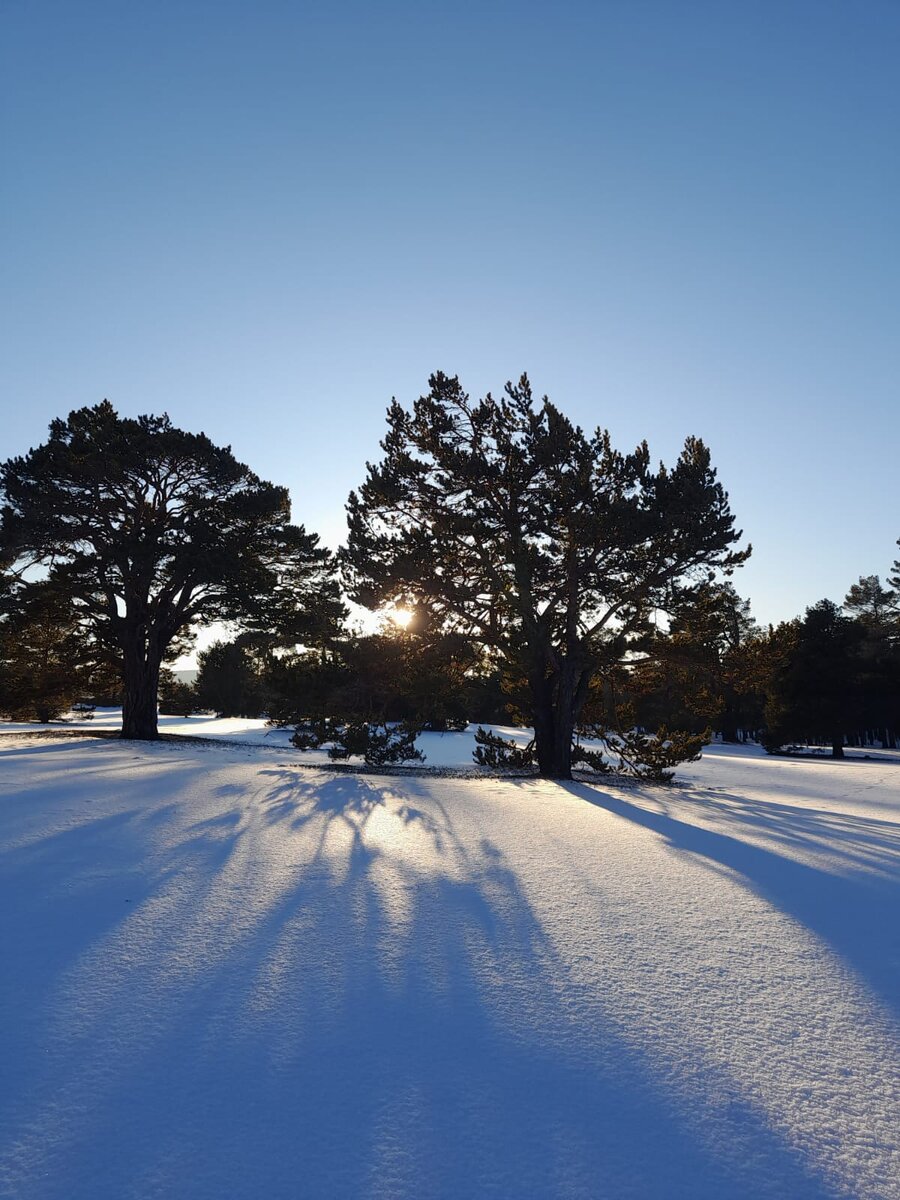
(831, 677)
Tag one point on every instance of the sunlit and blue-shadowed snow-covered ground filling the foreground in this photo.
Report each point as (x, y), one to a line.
(229, 977)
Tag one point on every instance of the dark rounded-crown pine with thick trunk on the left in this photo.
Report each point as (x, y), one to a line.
(151, 531)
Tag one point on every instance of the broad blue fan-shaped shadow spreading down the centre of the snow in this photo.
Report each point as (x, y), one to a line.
(381, 1029)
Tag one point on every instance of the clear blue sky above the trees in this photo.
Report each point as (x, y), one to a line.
(267, 219)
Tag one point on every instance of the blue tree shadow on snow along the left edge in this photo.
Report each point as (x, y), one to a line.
(67, 893)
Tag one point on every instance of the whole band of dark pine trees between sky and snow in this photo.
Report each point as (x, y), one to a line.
(550, 581)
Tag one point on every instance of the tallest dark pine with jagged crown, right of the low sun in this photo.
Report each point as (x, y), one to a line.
(515, 530)
